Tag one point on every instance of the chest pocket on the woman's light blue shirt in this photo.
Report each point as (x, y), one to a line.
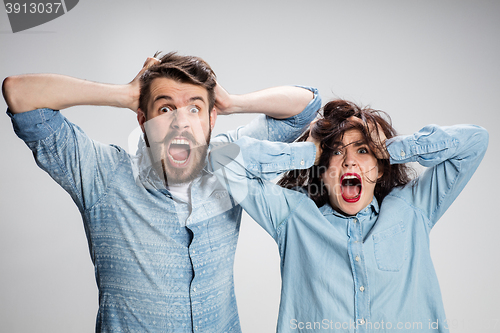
(390, 248)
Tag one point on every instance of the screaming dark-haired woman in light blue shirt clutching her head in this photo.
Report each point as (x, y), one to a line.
(353, 233)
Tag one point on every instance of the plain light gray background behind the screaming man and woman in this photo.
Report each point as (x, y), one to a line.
(421, 61)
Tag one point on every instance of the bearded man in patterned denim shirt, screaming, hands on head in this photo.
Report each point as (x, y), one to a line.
(162, 231)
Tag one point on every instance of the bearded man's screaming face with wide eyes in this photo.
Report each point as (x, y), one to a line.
(177, 128)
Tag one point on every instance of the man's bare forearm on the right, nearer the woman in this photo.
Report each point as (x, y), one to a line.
(278, 102)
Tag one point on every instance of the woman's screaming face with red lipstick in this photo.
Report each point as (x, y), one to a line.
(351, 176)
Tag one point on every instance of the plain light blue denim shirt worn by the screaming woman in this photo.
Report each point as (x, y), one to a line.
(366, 273)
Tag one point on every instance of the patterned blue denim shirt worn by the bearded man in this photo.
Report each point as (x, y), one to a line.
(153, 274)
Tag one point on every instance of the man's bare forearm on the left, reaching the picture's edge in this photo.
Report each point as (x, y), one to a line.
(32, 91)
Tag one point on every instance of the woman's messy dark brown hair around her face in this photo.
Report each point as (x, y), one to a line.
(329, 130)
